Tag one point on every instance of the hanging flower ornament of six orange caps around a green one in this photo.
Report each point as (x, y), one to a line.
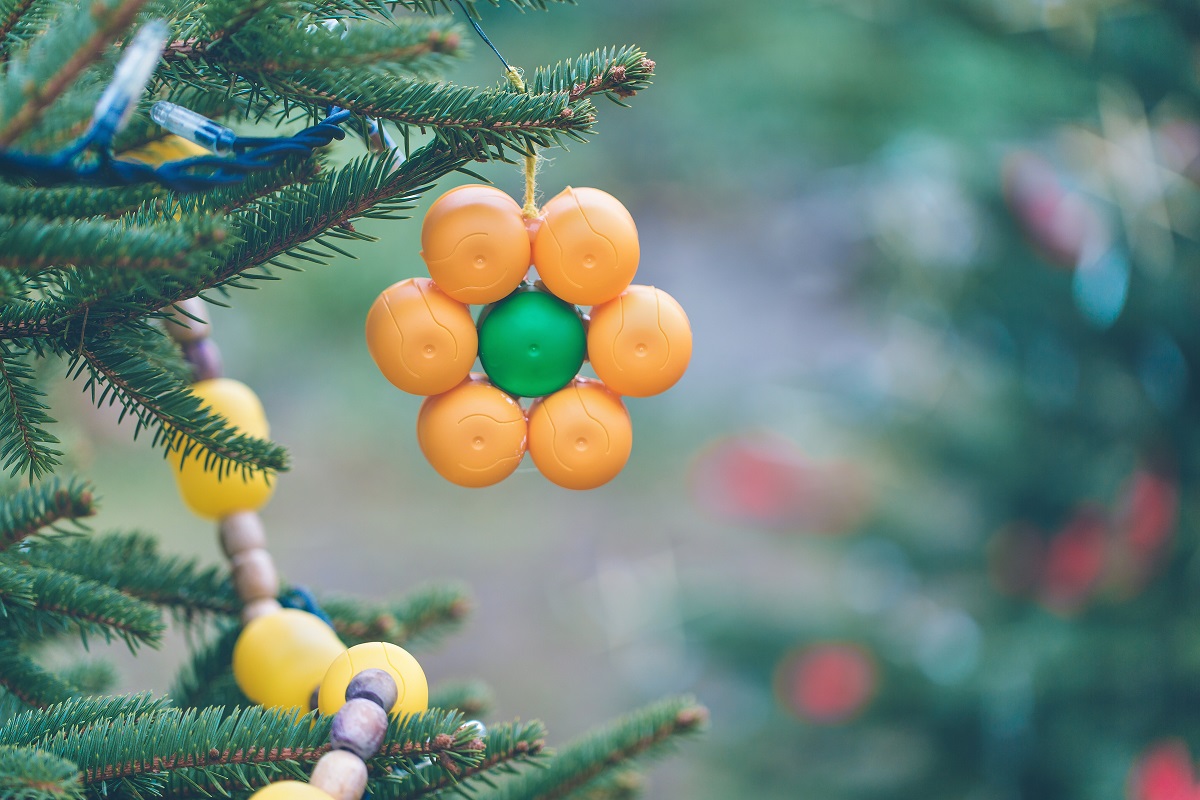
(532, 339)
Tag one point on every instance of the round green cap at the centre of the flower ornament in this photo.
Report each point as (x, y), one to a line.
(532, 344)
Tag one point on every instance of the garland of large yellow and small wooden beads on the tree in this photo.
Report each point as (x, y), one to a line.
(286, 658)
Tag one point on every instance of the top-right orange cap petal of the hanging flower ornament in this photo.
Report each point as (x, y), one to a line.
(586, 249)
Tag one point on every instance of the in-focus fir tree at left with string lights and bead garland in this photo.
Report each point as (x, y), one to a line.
(111, 228)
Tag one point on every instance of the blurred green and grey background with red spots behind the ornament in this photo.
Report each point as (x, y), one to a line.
(904, 334)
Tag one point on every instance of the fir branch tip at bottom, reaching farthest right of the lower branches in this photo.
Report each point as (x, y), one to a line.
(635, 735)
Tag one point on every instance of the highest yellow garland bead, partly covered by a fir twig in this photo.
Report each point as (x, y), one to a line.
(207, 492)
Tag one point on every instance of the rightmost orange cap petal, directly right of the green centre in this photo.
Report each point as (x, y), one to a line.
(640, 342)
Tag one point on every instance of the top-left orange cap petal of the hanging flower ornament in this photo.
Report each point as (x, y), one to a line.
(476, 244)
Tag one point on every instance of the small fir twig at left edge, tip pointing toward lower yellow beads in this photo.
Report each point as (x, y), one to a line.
(64, 601)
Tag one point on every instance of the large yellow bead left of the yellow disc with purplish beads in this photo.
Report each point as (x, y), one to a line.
(280, 659)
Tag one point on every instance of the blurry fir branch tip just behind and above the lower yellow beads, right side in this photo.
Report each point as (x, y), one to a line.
(424, 615)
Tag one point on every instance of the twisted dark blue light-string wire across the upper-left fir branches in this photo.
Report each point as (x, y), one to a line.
(254, 154)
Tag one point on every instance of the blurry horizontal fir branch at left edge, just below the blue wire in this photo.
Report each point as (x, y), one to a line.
(35, 244)
